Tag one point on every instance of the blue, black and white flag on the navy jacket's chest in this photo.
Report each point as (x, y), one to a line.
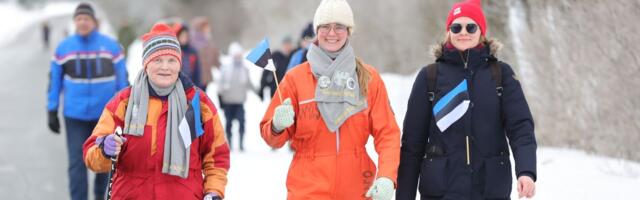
(452, 106)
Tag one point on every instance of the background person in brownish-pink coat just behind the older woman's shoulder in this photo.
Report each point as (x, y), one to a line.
(208, 54)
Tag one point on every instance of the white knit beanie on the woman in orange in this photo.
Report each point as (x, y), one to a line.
(334, 11)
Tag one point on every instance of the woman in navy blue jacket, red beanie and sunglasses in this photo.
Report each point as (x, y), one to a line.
(457, 135)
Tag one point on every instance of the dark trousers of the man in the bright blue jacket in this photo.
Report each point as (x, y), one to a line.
(77, 132)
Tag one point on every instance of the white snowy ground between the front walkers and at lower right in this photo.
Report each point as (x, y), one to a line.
(562, 173)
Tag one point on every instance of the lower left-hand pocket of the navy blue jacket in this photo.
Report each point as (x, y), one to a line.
(433, 176)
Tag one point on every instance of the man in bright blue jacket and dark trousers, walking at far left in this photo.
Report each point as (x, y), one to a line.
(89, 68)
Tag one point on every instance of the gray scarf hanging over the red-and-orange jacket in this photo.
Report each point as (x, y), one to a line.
(176, 155)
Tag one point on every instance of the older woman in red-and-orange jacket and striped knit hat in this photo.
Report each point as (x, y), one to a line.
(173, 145)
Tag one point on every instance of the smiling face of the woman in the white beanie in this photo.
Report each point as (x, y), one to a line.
(332, 37)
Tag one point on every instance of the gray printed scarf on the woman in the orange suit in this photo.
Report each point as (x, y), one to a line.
(337, 91)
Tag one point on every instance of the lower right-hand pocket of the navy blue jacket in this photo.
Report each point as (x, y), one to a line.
(497, 177)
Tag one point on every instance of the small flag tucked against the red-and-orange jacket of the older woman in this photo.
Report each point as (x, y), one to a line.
(191, 126)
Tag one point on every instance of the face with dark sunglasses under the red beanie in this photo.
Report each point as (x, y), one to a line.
(464, 40)
